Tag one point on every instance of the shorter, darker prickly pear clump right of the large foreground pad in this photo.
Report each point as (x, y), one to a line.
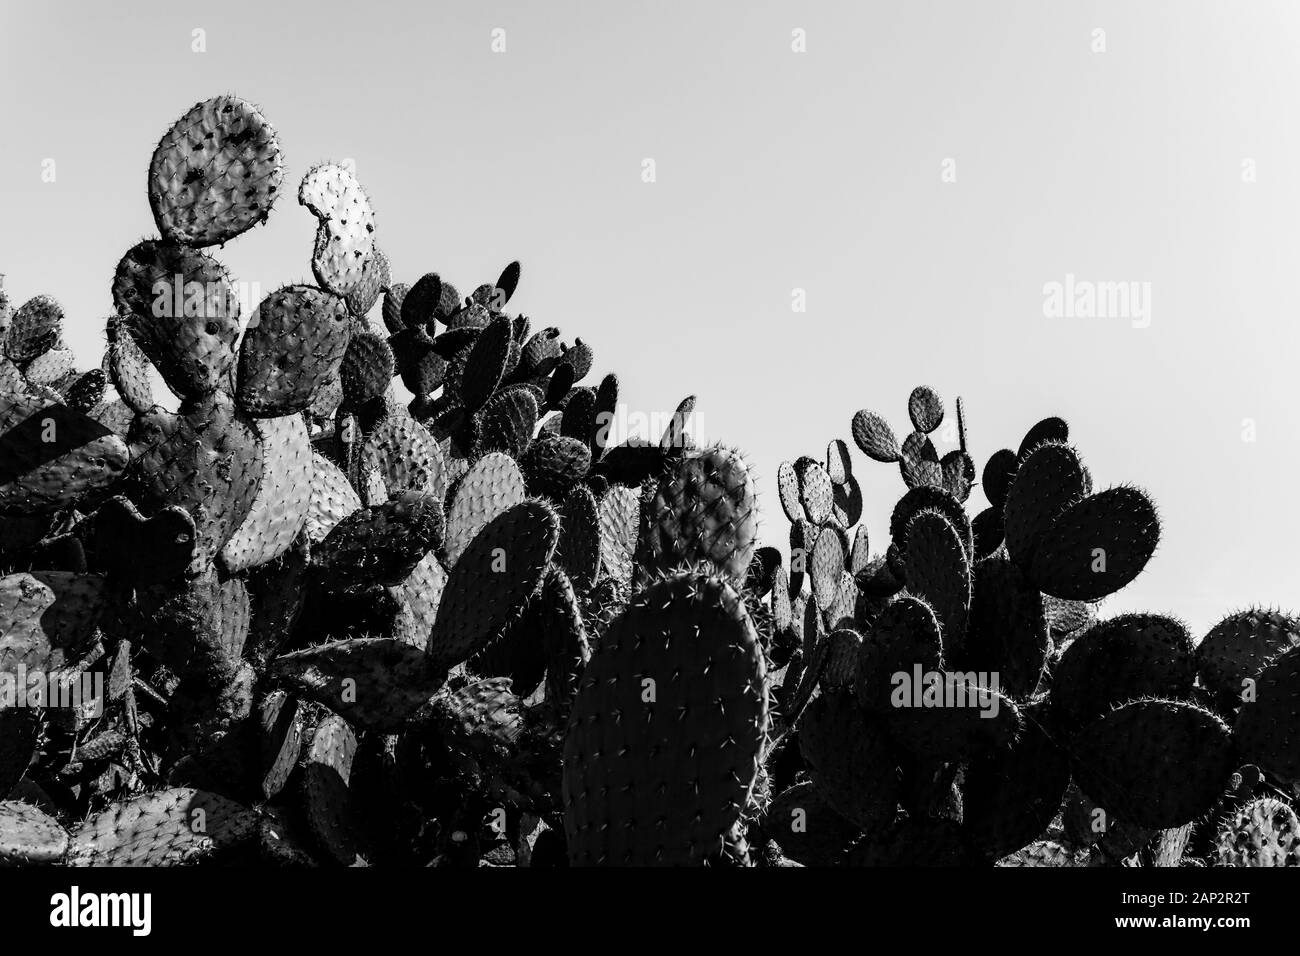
(1090, 742)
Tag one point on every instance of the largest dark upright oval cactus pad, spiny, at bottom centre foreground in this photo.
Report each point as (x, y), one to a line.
(665, 739)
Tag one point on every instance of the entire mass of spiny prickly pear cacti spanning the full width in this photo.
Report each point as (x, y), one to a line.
(330, 628)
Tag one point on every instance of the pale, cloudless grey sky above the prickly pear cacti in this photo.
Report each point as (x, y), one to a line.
(848, 201)
